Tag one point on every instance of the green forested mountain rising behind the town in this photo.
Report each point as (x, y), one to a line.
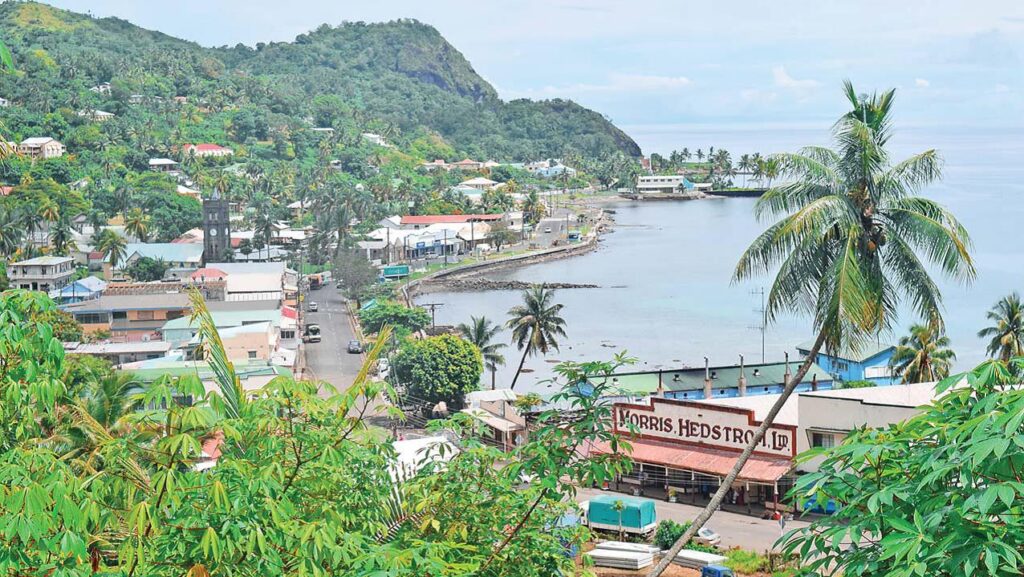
(401, 79)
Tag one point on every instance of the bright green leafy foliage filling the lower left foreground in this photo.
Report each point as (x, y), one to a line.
(288, 479)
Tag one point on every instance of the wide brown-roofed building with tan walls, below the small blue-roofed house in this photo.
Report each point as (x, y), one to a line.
(131, 318)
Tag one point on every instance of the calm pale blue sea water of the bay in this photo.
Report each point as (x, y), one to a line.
(666, 295)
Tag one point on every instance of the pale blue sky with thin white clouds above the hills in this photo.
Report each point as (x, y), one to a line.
(659, 65)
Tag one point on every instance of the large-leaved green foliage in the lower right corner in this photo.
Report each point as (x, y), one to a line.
(938, 496)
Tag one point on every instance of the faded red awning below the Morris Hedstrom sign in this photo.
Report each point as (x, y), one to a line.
(704, 461)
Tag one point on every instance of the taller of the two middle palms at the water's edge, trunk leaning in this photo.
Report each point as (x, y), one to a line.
(535, 324)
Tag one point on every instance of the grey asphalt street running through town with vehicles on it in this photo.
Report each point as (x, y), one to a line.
(329, 359)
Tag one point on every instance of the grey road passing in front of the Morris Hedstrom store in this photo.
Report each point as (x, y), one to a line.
(743, 531)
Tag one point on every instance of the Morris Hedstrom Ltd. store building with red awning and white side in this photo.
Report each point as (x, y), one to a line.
(690, 446)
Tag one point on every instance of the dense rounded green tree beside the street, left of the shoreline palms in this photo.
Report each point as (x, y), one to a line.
(440, 368)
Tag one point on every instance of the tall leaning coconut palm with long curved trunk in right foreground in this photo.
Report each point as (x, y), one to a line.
(851, 245)
